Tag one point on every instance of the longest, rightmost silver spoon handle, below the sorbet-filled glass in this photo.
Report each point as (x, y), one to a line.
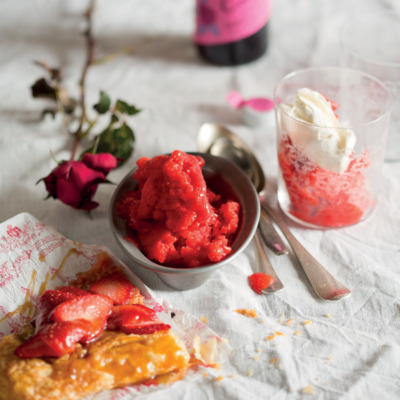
(325, 285)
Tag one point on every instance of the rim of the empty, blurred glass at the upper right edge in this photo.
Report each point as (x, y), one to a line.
(349, 23)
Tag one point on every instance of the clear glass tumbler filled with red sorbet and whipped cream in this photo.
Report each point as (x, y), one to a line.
(309, 191)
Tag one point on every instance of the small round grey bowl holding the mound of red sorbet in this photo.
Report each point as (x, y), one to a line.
(214, 169)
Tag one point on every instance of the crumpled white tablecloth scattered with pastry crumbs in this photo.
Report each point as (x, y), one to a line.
(299, 346)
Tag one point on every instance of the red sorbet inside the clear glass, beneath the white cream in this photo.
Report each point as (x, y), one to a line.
(323, 197)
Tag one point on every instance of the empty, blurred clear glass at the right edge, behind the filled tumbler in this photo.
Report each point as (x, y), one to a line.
(370, 42)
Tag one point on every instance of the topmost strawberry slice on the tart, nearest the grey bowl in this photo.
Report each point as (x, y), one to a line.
(118, 288)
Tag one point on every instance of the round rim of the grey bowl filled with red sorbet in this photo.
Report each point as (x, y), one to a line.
(151, 265)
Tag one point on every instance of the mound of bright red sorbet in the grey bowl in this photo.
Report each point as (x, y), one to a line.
(178, 220)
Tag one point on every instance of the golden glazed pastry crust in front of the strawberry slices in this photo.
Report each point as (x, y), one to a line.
(113, 360)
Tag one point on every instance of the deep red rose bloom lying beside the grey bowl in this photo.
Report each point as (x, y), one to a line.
(75, 182)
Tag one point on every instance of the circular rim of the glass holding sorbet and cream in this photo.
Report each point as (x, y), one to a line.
(338, 69)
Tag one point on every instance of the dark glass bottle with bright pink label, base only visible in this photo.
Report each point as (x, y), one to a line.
(232, 32)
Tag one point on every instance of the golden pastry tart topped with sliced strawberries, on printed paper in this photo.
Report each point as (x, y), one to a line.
(92, 335)
